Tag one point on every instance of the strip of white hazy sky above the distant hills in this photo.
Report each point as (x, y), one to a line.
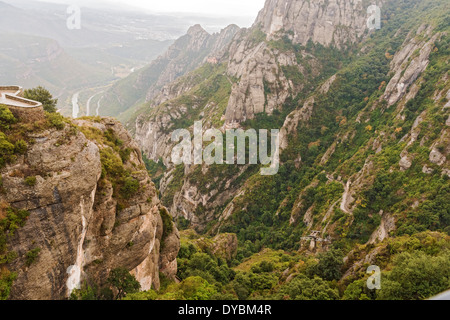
(212, 7)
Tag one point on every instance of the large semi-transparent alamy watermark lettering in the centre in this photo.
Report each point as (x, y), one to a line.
(235, 152)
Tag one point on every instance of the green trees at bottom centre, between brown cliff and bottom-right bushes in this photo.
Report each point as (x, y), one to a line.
(263, 275)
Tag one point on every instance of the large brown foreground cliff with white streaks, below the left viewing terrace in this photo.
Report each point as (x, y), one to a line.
(82, 229)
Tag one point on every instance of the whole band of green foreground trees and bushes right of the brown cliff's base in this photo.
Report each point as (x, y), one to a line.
(418, 269)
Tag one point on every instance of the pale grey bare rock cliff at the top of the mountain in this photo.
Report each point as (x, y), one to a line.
(263, 86)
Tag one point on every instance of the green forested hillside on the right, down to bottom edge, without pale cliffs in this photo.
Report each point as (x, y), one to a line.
(369, 172)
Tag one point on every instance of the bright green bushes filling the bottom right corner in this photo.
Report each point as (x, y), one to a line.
(416, 268)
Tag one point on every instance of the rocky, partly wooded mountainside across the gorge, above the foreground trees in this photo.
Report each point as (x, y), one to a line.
(364, 120)
